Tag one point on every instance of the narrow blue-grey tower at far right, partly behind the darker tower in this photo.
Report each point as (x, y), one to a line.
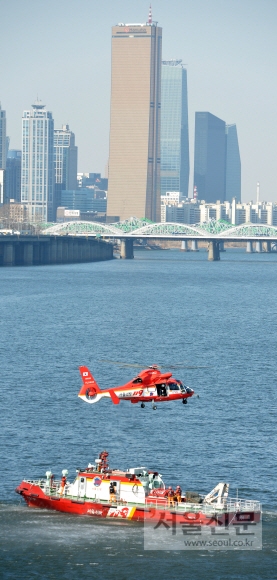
(233, 165)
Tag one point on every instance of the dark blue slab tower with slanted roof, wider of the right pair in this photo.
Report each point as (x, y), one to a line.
(209, 157)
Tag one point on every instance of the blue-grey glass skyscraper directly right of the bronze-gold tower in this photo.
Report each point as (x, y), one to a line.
(174, 129)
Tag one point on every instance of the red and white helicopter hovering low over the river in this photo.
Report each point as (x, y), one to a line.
(149, 386)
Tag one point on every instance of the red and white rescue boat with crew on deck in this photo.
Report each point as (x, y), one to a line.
(136, 494)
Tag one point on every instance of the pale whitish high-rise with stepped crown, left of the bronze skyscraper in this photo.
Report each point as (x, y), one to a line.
(37, 178)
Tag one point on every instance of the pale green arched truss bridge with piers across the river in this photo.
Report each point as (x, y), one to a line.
(215, 233)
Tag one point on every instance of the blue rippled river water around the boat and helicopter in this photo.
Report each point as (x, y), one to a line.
(163, 307)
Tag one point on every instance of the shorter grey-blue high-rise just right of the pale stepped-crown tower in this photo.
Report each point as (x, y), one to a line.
(65, 162)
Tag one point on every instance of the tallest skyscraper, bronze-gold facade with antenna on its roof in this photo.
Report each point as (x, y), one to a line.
(134, 160)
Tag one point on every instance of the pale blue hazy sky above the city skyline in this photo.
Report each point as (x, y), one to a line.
(61, 51)
